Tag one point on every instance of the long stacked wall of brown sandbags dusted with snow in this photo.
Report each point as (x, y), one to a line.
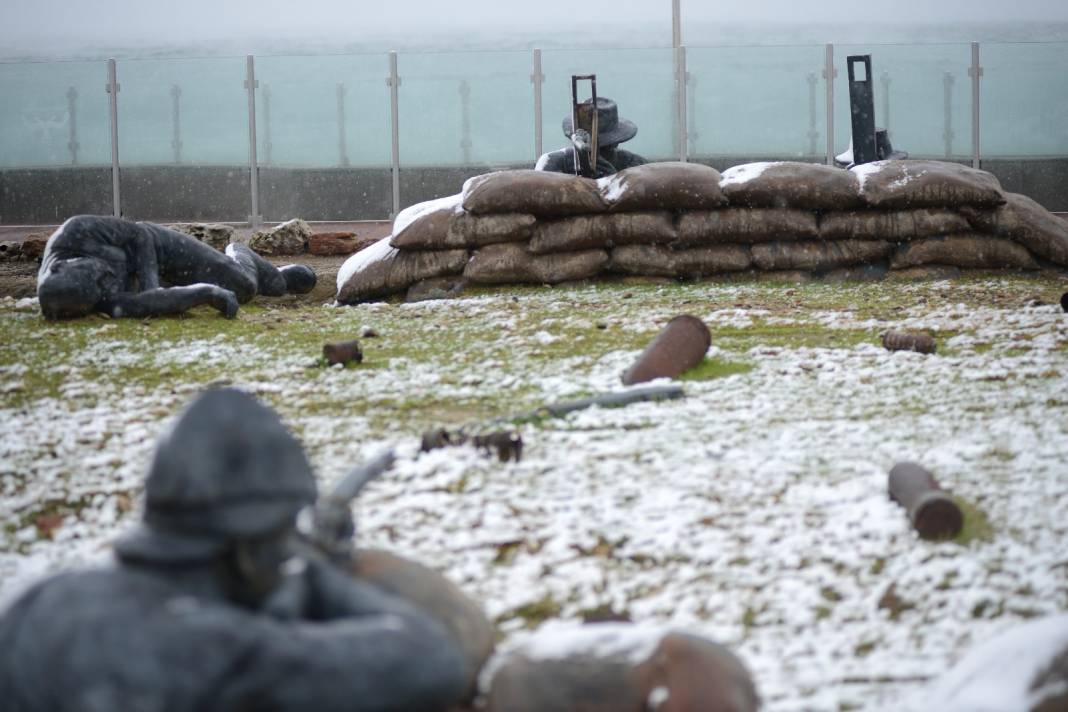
(687, 221)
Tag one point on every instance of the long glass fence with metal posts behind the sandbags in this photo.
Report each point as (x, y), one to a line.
(497, 109)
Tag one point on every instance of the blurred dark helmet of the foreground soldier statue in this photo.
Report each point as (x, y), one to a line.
(228, 471)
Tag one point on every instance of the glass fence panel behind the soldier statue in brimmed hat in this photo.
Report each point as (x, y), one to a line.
(641, 83)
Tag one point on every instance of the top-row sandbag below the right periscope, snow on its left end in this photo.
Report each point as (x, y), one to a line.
(913, 184)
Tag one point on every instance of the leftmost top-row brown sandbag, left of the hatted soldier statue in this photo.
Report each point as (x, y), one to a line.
(537, 193)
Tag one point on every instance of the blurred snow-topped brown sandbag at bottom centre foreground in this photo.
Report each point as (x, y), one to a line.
(618, 668)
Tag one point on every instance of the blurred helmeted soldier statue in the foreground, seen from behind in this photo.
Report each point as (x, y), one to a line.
(210, 609)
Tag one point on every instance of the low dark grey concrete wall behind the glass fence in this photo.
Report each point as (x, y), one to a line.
(32, 197)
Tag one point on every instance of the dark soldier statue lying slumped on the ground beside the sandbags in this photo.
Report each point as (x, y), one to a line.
(118, 267)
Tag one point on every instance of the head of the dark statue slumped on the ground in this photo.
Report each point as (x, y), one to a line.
(71, 289)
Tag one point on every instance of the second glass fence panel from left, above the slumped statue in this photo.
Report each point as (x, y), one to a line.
(184, 139)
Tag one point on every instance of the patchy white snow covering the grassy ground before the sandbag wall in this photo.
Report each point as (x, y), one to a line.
(753, 512)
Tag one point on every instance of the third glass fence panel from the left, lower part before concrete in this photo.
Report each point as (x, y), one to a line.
(324, 140)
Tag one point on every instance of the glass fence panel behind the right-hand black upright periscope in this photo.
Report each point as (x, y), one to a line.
(923, 97)
